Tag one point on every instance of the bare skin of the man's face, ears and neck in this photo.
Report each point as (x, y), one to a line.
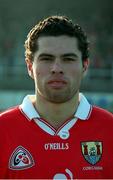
(57, 70)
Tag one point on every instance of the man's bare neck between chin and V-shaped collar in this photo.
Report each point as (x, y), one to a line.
(56, 113)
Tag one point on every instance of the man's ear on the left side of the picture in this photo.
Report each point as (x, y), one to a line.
(29, 64)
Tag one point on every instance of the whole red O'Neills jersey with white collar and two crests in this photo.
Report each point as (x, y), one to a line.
(31, 148)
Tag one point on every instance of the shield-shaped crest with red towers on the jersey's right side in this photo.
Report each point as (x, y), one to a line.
(92, 151)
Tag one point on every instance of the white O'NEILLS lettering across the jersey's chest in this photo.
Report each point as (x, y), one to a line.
(56, 146)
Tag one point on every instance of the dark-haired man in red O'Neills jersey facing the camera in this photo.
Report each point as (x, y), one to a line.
(56, 133)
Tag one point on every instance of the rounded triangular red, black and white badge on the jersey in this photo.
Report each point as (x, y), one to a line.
(21, 159)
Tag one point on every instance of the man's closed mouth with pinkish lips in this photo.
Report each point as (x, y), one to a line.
(57, 84)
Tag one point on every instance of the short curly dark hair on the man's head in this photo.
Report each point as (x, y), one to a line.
(56, 26)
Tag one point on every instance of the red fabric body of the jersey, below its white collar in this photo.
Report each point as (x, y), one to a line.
(52, 156)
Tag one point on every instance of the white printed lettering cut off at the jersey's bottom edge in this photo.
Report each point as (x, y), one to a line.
(67, 175)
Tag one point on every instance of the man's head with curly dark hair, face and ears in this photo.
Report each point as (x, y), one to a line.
(56, 57)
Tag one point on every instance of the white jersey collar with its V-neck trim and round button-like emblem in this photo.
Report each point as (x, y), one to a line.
(29, 111)
